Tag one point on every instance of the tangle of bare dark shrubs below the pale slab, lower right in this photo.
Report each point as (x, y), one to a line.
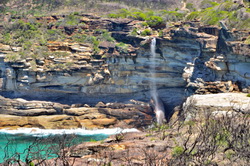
(226, 136)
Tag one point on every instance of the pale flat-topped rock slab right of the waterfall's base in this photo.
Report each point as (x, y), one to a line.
(221, 105)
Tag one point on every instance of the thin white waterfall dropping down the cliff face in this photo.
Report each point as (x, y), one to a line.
(156, 101)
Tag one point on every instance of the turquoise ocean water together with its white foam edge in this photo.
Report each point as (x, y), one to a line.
(45, 144)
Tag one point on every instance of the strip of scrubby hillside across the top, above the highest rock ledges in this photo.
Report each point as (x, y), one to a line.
(236, 14)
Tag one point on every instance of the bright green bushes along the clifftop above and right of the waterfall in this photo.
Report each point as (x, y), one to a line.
(233, 14)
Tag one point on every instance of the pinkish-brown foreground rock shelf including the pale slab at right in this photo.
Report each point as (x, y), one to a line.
(157, 144)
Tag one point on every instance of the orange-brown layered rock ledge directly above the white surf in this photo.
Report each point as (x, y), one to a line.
(16, 113)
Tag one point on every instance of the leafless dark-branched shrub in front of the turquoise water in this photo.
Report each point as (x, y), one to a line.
(40, 150)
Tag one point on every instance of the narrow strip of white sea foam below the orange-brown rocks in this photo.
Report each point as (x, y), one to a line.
(46, 132)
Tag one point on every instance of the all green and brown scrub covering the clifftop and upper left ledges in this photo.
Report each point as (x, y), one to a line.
(28, 24)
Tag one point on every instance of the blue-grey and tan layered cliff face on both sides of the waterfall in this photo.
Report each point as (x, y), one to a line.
(188, 56)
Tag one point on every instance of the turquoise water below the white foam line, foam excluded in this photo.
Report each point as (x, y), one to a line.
(26, 146)
